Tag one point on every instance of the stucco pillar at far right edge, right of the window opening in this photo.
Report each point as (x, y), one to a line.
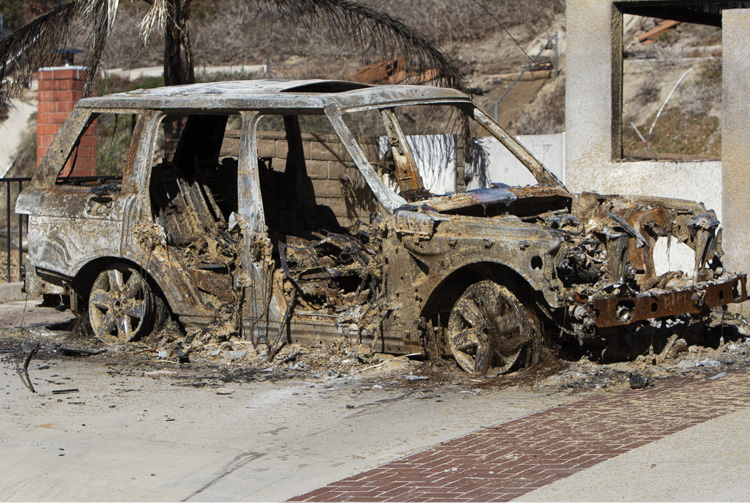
(735, 141)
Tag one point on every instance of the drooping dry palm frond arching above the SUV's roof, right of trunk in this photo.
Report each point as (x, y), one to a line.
(375, 32)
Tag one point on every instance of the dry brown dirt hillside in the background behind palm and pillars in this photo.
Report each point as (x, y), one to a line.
(677, 72)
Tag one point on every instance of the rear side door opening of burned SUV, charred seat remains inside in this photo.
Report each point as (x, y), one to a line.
(193, 190)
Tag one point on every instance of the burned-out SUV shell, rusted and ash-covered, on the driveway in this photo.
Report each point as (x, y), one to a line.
(313, 211)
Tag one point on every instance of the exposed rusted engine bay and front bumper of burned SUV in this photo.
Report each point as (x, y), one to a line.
(608, 260)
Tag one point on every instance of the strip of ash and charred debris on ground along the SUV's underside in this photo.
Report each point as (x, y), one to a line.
(723, 345)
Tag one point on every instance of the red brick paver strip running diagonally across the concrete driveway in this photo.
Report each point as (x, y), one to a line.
(505, 461)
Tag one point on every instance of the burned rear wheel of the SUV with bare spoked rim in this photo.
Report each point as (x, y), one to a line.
(121, 305)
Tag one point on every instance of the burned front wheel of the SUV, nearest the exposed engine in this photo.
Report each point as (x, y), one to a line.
(489, 328)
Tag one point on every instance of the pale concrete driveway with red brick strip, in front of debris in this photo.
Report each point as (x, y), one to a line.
(103, 428)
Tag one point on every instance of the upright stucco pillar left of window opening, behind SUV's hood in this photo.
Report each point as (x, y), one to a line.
(593, 90)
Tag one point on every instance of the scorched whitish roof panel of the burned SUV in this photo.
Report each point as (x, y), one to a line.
(273, 95)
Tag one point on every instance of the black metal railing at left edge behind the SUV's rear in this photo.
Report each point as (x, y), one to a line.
(14, 227)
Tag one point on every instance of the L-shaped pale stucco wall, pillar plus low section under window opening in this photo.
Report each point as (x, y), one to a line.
(593, 116)
